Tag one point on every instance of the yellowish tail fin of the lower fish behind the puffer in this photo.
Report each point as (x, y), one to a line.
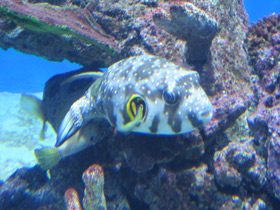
(47, 158)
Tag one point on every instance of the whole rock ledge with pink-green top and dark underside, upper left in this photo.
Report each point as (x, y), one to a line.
(42, 28)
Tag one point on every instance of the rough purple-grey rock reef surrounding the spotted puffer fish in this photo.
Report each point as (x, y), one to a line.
(232, 163)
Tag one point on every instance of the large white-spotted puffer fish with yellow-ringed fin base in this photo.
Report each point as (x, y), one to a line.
(145, 94)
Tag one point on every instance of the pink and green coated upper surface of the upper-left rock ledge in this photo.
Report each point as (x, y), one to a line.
(61, 21)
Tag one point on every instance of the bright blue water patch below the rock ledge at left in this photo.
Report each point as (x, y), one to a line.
(27, 73)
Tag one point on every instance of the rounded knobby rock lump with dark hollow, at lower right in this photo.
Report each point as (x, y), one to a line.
(238, 162)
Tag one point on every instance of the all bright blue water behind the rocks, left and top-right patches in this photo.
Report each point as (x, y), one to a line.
(27, 73)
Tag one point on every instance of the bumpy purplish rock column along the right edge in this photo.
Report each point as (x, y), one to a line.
(264, 50)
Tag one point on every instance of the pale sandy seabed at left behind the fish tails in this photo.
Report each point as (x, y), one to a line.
(19, 135)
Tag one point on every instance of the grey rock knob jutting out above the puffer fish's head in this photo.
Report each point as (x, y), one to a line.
(187, 22)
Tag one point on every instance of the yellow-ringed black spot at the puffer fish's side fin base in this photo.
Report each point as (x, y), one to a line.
(135, 102)
